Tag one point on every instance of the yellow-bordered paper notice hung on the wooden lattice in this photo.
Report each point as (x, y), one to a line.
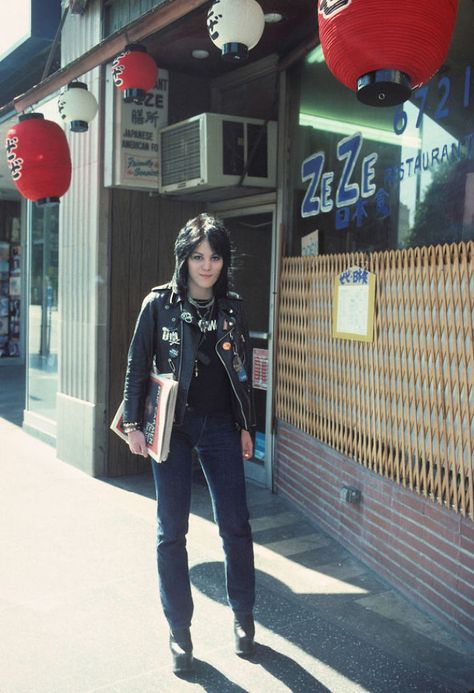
(353, 305)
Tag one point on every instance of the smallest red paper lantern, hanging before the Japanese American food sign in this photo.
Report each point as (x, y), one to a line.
(135, 72)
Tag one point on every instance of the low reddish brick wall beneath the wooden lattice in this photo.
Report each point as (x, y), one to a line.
(423, 549)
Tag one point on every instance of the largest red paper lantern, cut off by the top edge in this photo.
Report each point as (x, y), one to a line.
(382, 49)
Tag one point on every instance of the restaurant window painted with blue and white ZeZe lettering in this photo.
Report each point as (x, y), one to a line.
(369, 179)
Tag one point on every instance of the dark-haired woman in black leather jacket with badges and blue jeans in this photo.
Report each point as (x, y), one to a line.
(195, 328)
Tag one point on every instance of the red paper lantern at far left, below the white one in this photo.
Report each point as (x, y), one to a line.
(38, 158)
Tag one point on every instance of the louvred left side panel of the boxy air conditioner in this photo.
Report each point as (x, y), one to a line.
(181, 154)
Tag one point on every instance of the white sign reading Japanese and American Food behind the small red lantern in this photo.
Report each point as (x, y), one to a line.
(132, 136)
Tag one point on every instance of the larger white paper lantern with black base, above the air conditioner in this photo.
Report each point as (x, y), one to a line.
(235, 26)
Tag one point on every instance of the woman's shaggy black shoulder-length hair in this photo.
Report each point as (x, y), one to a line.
(202, 228)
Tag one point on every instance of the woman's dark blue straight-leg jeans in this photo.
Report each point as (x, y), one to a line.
(218, 444)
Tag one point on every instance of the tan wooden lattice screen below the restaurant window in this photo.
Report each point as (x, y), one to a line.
(403, 406)
